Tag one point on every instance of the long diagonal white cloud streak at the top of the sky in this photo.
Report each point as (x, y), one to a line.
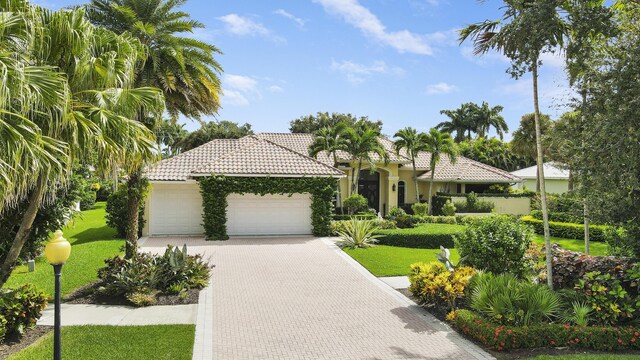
(361, 18)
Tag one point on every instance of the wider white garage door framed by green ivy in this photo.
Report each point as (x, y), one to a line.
(269, 215)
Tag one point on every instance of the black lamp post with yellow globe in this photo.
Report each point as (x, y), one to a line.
(57, 252)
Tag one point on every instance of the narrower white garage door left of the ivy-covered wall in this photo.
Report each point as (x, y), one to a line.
(175, 209)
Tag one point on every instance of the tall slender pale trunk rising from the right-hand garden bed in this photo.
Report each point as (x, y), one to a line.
(540, 162)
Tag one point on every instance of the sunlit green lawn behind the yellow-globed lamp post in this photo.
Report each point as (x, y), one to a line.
(91, 240)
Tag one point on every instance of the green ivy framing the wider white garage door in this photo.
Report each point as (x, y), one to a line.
(214, 190)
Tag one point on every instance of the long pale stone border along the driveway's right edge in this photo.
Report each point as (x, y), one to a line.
(466, 345)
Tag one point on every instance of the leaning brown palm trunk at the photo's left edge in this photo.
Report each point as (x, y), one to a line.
(35, 201)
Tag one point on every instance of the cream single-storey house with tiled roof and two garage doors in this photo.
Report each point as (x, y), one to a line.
(175, 206)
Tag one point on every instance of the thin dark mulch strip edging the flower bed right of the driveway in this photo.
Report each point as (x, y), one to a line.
(516, 354)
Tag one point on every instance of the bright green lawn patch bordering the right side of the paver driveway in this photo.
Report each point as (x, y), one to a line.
(394, 261)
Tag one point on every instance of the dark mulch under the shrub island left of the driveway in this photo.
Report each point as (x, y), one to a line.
(88, 295)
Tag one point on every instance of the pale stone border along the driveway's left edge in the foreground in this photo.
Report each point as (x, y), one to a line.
(203, 342)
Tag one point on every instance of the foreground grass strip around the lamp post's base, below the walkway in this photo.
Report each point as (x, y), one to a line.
(157, 342)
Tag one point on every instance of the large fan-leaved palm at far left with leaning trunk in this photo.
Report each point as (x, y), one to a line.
(88, 105)
